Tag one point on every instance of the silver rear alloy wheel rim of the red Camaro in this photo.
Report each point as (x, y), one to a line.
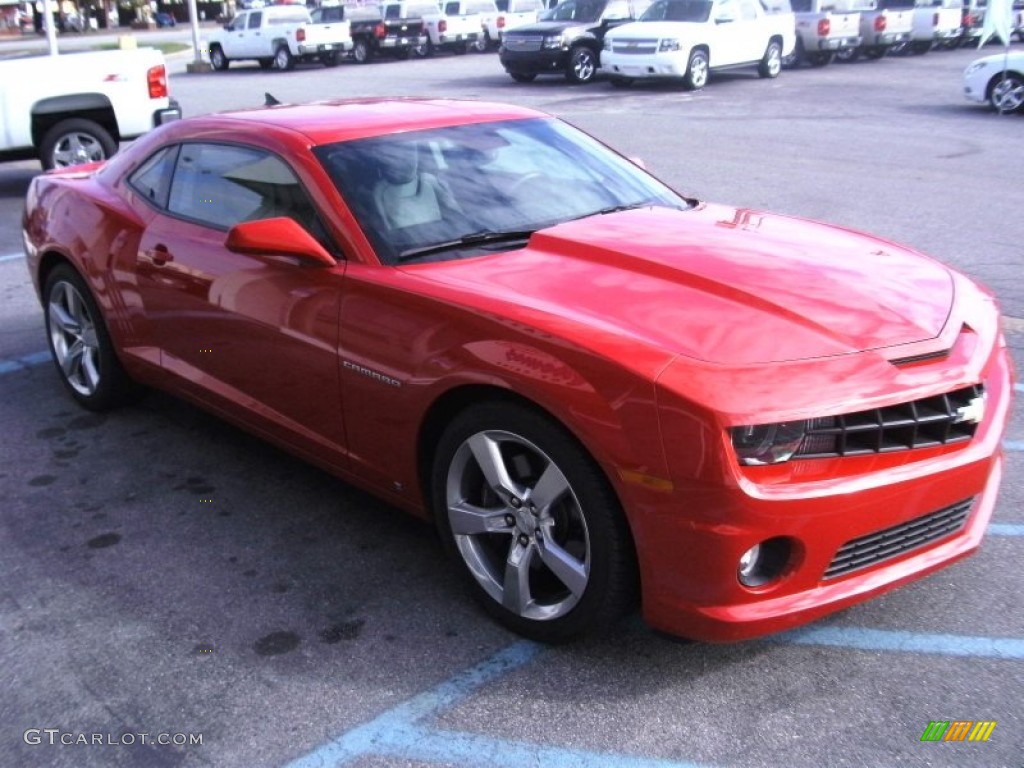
(73, 337)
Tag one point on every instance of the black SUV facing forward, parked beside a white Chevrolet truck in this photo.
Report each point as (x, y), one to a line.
(568, 41)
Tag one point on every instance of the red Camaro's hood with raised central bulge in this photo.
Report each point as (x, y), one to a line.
(718, 284)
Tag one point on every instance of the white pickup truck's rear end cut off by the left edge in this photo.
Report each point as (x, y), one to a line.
(77, 108)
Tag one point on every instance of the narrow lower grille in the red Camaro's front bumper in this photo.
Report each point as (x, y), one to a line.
(885, 545)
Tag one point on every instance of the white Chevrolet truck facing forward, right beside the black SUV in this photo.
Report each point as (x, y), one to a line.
(687, 39)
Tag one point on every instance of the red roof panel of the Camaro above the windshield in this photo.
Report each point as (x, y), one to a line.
(327, 122)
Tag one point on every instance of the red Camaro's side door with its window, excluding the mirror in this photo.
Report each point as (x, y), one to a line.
(257, 336)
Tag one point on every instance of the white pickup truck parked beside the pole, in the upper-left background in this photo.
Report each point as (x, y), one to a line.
(278, 36)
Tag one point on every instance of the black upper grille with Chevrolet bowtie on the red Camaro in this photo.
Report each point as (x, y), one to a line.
(934, 421)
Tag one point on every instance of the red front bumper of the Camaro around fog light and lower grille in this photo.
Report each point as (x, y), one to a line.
(692, 539)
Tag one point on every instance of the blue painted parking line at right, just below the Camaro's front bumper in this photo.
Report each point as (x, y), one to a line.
(908, 643)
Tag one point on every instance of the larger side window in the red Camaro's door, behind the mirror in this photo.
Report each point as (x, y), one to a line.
(222, 186)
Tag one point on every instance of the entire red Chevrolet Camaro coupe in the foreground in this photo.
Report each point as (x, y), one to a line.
(602, 392)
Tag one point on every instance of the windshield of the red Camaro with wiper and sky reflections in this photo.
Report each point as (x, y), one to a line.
(465, 191)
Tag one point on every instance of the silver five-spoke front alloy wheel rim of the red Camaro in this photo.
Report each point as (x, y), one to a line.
(519, 526)
